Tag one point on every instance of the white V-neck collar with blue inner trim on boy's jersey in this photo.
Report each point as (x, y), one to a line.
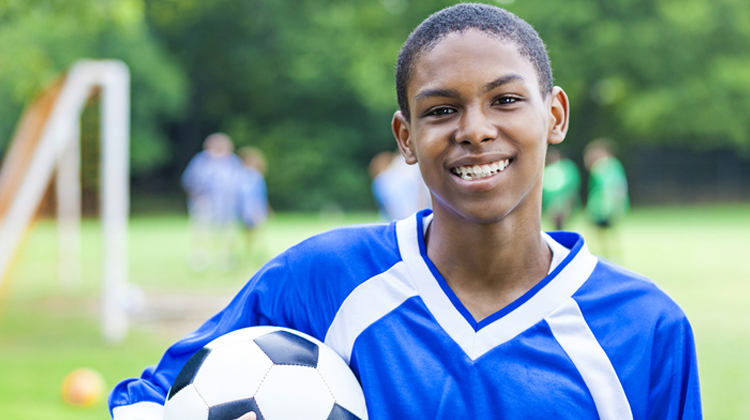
(566, 275)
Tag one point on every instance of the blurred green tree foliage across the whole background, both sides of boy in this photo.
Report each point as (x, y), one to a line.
(310, 82)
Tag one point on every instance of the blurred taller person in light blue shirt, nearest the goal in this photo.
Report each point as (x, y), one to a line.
(210, 181)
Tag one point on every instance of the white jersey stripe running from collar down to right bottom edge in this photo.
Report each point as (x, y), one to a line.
(574, 335)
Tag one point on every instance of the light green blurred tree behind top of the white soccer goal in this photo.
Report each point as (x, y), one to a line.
(42, 38)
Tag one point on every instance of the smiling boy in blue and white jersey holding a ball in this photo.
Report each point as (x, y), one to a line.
(469, 311)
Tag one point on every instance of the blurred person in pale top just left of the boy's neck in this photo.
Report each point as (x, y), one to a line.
(397, 187)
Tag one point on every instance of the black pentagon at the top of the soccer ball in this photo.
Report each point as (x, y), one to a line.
(285, 348)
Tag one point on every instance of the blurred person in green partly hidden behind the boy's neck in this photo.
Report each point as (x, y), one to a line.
(561, 188)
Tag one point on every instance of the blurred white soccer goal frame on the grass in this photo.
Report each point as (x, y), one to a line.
(46, 143)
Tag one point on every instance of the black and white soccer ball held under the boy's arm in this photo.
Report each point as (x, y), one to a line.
(278, 373)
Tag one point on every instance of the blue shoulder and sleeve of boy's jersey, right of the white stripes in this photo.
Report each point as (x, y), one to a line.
(647, 338)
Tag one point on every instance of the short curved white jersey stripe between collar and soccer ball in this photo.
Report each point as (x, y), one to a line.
(369, 302)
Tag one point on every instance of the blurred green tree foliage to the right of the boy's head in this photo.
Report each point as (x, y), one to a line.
(651, 71)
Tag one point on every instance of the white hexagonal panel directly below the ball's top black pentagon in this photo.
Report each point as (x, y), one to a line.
(305, 395)
